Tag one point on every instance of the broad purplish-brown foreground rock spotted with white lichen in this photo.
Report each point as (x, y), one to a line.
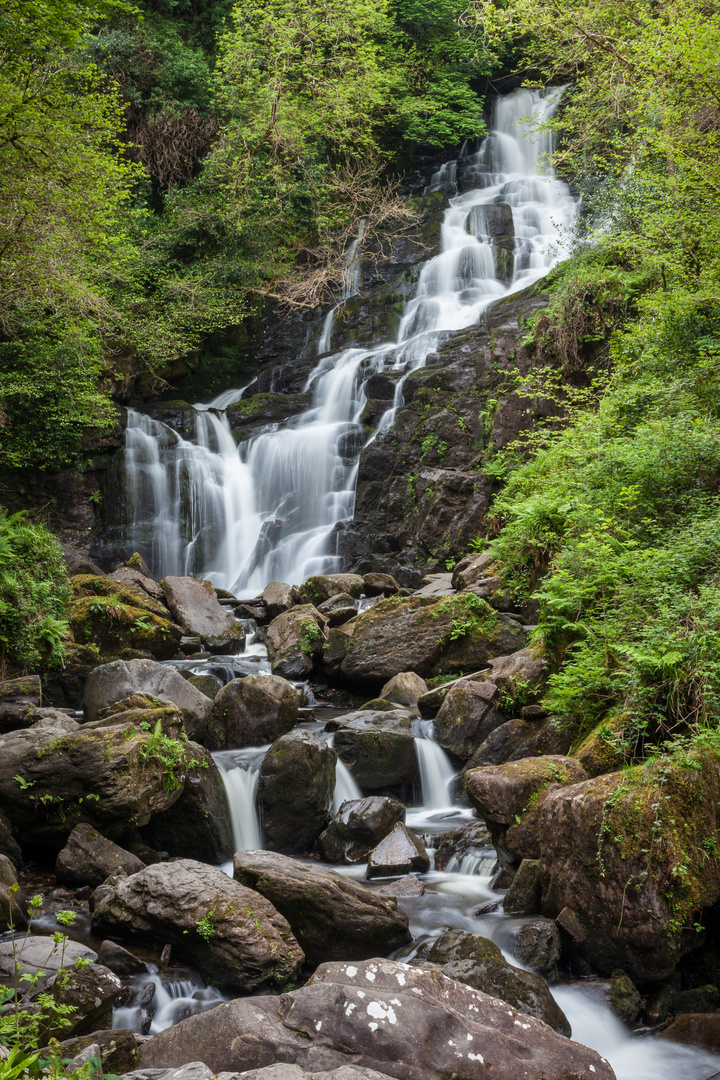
(407, 1023)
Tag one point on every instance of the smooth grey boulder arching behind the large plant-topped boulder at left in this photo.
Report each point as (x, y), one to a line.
(113, 683)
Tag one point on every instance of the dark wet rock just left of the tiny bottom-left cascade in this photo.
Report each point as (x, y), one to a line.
(90, 993)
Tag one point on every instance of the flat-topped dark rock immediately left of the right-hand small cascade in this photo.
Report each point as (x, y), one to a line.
(377, 748)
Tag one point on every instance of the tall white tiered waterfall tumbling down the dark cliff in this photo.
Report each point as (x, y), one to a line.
(269, 509)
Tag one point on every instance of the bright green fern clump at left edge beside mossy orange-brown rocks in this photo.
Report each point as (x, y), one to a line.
(34, 593)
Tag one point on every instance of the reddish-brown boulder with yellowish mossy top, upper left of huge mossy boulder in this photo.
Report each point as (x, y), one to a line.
(502, 793)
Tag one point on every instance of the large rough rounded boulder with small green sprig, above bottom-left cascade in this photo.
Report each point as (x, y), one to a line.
(235, 937)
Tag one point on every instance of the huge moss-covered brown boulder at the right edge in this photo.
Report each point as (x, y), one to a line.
(635, 856)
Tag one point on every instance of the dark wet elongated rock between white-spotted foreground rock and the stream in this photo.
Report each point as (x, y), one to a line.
(480, 963)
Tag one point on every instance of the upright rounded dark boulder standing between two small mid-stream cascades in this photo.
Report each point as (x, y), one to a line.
(295, 791)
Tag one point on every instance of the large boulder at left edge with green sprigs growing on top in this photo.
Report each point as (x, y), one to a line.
(113, 778)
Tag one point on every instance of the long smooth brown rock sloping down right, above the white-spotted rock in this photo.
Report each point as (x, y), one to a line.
(332, 916)
